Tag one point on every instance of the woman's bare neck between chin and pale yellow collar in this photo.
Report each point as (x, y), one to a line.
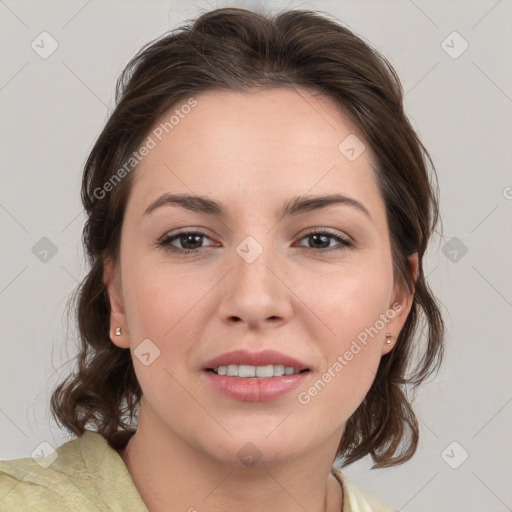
(172, 476)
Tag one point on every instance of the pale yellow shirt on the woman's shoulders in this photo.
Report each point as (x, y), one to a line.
(87, 475)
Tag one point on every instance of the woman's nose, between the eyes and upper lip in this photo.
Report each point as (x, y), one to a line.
(256, 292)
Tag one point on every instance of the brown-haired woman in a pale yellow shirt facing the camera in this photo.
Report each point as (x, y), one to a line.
(258, 212)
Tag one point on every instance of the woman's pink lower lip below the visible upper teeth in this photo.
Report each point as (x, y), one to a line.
(255, 389)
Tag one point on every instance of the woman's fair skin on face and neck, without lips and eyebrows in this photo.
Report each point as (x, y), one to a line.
(253, 152)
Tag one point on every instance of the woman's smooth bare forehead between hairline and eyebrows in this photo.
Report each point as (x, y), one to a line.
(252, 145)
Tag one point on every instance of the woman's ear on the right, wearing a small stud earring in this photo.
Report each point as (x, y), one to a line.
(401, 304)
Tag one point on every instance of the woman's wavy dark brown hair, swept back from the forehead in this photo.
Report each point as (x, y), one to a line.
(236, 50)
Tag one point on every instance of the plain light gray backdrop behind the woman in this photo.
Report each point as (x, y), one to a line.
(53, 108)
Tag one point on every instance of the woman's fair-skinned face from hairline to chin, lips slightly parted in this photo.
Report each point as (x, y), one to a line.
(314, 284)
